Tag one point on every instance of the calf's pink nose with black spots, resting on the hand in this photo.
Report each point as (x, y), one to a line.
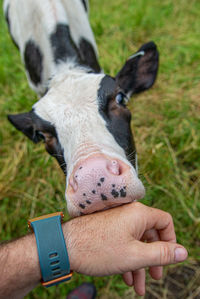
(100, 182)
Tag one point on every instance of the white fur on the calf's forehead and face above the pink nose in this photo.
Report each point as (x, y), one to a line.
(74, 113)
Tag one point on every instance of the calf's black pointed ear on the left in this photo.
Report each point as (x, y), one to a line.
(24, 123)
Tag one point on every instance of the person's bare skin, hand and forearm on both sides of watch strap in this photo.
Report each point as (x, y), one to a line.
(116, 236)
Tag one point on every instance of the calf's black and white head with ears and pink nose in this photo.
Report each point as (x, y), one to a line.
(85, 125)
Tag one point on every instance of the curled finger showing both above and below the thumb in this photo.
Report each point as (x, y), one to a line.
(156, 272)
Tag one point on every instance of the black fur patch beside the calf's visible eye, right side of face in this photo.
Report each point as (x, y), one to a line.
(117, 125)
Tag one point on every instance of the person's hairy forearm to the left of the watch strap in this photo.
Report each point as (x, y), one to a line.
(19, 267)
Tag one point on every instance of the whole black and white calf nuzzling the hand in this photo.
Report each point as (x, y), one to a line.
(81, 115)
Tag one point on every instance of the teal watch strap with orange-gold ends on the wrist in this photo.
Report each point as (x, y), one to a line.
(52, 251)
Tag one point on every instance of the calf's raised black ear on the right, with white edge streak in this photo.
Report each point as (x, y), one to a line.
(140, 70)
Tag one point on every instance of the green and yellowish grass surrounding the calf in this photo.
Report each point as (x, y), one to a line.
(166, 125)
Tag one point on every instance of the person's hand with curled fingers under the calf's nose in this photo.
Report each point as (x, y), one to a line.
(113, 242)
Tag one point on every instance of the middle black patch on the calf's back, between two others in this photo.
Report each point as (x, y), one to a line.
(62, 44)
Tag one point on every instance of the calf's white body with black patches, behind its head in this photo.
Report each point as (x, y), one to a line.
(50, 34)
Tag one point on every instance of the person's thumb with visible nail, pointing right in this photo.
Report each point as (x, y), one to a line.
(160, 254)
